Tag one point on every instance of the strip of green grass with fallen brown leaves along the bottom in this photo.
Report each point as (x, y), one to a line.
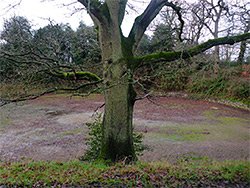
(192, 172)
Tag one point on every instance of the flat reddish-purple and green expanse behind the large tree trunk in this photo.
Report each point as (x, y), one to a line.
(53, 128)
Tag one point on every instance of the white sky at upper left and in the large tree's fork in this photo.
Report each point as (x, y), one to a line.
(39, 11)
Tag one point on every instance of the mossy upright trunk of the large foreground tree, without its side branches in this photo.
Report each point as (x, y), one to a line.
(117, 137)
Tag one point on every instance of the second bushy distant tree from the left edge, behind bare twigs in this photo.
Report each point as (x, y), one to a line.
(51, 47)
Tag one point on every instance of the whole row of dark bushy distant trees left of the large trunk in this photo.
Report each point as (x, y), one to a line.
(49, 51)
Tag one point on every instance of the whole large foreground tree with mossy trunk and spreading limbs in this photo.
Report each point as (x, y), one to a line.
(119, 65)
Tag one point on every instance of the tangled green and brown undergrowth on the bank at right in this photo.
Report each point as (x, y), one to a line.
(230, 83)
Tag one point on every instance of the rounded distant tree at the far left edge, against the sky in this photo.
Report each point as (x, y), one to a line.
(16, 37)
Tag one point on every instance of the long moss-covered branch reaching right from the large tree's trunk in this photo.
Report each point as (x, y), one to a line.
(171, 56)
